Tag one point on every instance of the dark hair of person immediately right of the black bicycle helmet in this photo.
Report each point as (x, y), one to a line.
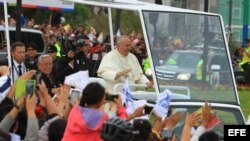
(142, 129)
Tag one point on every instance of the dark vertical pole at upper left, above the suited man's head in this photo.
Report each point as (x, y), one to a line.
(18, 20)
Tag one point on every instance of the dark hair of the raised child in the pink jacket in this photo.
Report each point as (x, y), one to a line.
(92, 94)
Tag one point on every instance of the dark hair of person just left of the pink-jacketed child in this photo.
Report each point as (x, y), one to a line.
(56, 130)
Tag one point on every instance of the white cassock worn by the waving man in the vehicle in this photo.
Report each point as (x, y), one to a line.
(114, 62)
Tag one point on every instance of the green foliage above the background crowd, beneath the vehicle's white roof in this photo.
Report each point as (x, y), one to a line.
(84, 15)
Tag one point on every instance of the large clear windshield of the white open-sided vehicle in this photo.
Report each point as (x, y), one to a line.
(189, 50)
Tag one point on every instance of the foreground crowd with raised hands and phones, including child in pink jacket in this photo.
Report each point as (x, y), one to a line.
(39, 117)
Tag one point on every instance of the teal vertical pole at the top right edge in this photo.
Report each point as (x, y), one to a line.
(245, 22)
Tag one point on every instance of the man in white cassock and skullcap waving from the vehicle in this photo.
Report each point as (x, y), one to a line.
(120, 64)
